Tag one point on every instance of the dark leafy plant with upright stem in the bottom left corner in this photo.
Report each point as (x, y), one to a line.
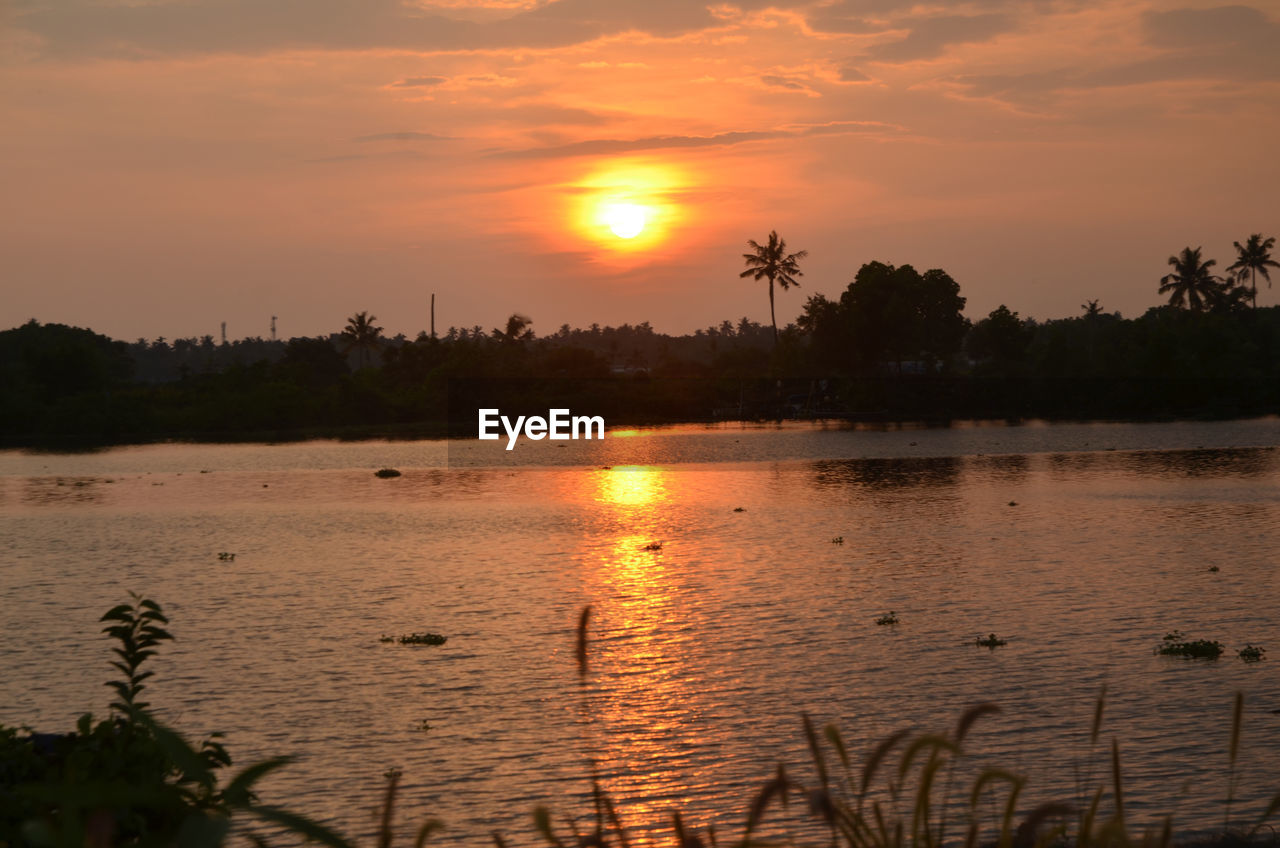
(129, 779)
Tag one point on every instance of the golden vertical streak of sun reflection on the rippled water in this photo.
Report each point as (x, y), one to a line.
(643, 706)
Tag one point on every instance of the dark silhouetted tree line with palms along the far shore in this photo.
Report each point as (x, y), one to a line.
(894, 345)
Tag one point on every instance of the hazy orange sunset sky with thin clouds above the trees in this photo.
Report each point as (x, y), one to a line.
(172, 165)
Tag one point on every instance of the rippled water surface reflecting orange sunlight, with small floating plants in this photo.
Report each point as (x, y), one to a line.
(705, 654)
